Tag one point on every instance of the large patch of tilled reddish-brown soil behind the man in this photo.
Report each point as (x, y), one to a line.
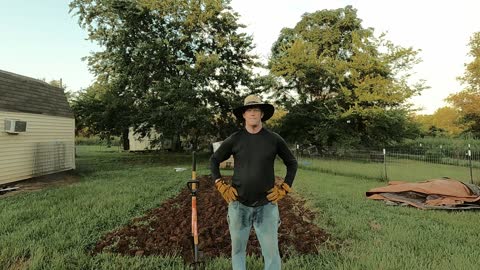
(167, 230)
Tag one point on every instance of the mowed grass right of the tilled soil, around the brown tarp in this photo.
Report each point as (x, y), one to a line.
(375, 236)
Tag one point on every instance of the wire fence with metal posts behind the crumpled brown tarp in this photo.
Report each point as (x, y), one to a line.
(394, 163)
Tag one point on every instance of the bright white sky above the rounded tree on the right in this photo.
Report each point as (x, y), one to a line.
(441, 29)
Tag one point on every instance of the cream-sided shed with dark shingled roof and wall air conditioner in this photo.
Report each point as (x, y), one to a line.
(37, 129)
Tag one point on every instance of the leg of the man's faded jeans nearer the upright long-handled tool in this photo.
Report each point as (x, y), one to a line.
(239, 223)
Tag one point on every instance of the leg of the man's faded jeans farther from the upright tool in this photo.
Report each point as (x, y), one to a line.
(266, 221)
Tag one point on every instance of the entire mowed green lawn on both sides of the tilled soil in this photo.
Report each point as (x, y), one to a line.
(57, 228)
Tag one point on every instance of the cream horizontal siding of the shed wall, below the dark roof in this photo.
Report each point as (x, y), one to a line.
(47, 146)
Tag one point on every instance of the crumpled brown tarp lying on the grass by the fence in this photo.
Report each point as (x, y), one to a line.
(430, 194)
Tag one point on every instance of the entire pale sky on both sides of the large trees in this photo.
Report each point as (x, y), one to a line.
(41, 39)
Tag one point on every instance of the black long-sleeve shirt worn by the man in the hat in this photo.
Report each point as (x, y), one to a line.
(254, 156)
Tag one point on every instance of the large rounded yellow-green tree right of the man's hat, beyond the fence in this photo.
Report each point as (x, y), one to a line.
(342, 74)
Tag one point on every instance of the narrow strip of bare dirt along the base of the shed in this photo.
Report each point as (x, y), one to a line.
(41, 182)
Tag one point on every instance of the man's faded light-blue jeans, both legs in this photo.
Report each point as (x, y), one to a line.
(265, 219)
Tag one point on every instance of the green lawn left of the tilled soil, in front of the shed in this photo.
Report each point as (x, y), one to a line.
(57, 228)
